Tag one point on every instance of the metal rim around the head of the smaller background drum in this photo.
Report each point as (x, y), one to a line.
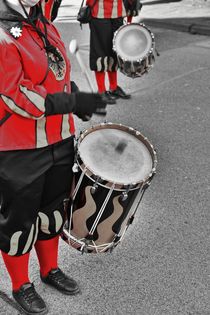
(150, 52)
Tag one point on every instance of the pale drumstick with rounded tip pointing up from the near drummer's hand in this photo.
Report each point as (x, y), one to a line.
(74, 49)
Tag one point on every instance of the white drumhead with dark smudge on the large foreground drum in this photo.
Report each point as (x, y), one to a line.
(116, 156)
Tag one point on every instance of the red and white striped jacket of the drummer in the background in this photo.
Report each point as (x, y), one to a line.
(107, 9)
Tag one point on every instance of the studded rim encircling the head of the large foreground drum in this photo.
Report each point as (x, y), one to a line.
(135, 132)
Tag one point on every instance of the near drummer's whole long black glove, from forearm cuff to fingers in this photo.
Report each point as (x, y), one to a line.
(80, 103)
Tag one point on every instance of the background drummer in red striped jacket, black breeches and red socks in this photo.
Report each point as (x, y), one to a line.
(107, 16)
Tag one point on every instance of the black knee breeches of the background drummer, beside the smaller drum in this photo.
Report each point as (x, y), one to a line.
(102, 56)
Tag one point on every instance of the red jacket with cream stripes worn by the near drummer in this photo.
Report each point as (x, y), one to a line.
(27, 76)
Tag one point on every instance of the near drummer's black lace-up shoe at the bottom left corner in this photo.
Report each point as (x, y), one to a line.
(29, 300)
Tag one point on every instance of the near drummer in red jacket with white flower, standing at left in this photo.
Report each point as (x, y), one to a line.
(36, 146)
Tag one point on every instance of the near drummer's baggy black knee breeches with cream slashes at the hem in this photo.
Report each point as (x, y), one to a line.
(33, 185)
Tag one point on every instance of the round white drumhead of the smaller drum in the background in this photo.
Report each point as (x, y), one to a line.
(133, 42)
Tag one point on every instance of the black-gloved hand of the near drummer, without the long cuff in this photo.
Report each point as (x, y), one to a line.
(88, 104)
